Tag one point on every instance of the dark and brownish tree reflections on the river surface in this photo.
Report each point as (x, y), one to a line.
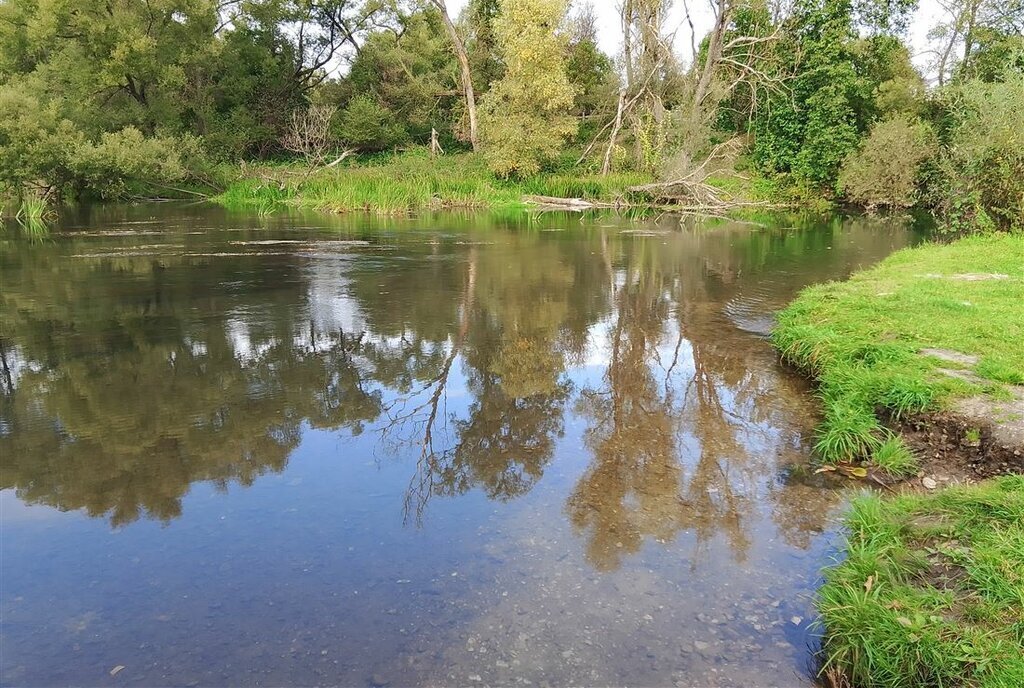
(133, 377)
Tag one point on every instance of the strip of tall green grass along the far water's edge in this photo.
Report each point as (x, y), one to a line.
(411, 183)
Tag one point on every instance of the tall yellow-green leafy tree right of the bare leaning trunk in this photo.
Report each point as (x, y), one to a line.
(526, 116)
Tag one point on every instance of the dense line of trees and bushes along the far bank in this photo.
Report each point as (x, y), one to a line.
(819, 98)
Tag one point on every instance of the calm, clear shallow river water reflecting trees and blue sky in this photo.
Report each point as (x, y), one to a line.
(451, 450)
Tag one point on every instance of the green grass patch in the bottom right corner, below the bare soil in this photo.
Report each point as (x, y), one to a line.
(931, 592)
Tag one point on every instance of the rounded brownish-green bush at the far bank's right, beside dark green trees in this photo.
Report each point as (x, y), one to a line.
(884, 173)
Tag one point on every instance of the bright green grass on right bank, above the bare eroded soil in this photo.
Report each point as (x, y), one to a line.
(861, 340)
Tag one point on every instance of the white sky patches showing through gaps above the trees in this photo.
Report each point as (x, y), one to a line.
(611, 36)
